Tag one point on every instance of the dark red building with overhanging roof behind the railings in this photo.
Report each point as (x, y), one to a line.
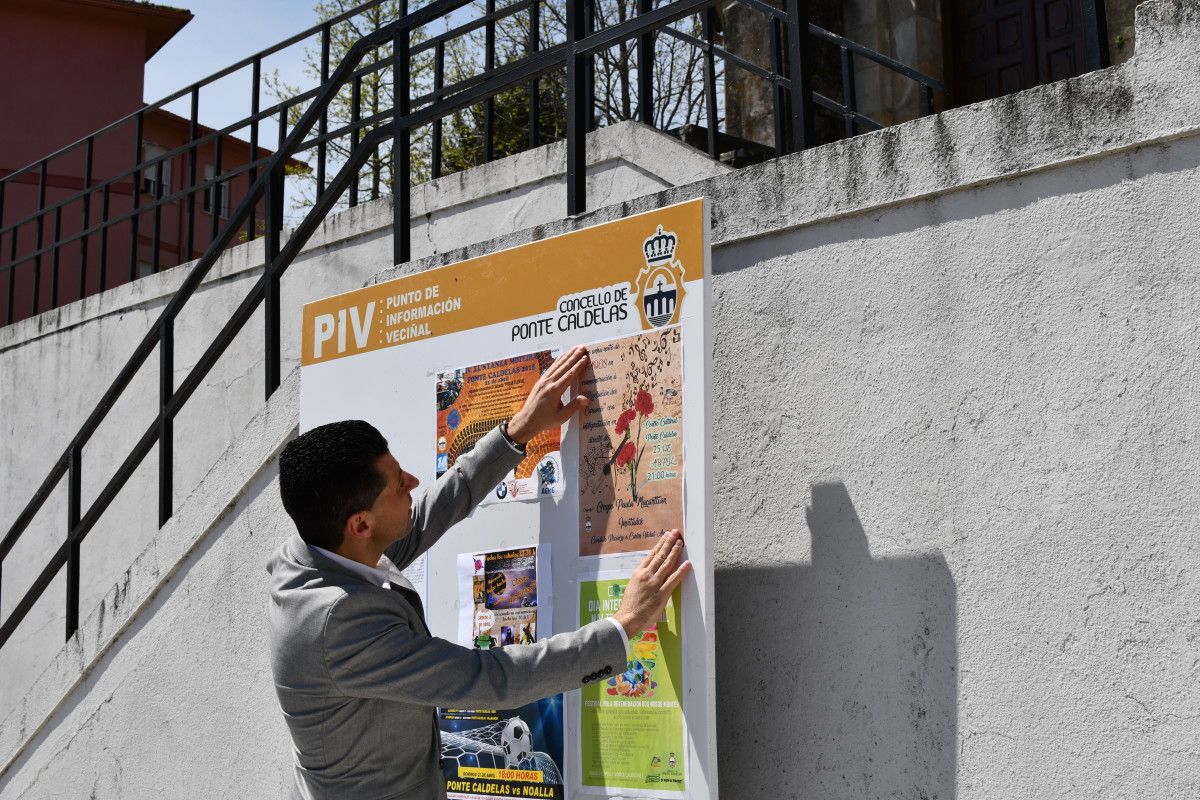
(70, 68)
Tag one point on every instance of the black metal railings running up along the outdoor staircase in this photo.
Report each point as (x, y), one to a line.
(304, 127)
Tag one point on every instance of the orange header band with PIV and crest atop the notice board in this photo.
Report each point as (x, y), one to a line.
(637, 267)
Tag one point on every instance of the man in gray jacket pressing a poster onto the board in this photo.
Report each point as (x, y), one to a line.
(358, 675)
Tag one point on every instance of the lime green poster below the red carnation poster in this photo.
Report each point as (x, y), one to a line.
(632, 726)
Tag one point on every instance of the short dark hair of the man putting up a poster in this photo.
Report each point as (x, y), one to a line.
(328, 474)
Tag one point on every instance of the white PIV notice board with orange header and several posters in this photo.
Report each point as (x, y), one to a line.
(436, 360)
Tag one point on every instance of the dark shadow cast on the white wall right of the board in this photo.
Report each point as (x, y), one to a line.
(838, 678)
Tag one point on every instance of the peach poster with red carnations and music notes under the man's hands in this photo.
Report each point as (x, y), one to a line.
(632, 443)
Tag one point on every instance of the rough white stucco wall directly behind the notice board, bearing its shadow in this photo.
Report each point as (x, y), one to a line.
(956, 476)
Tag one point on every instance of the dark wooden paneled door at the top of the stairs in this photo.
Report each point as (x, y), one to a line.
(998, 47)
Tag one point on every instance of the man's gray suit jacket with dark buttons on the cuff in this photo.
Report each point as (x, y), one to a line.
(359, 677)
